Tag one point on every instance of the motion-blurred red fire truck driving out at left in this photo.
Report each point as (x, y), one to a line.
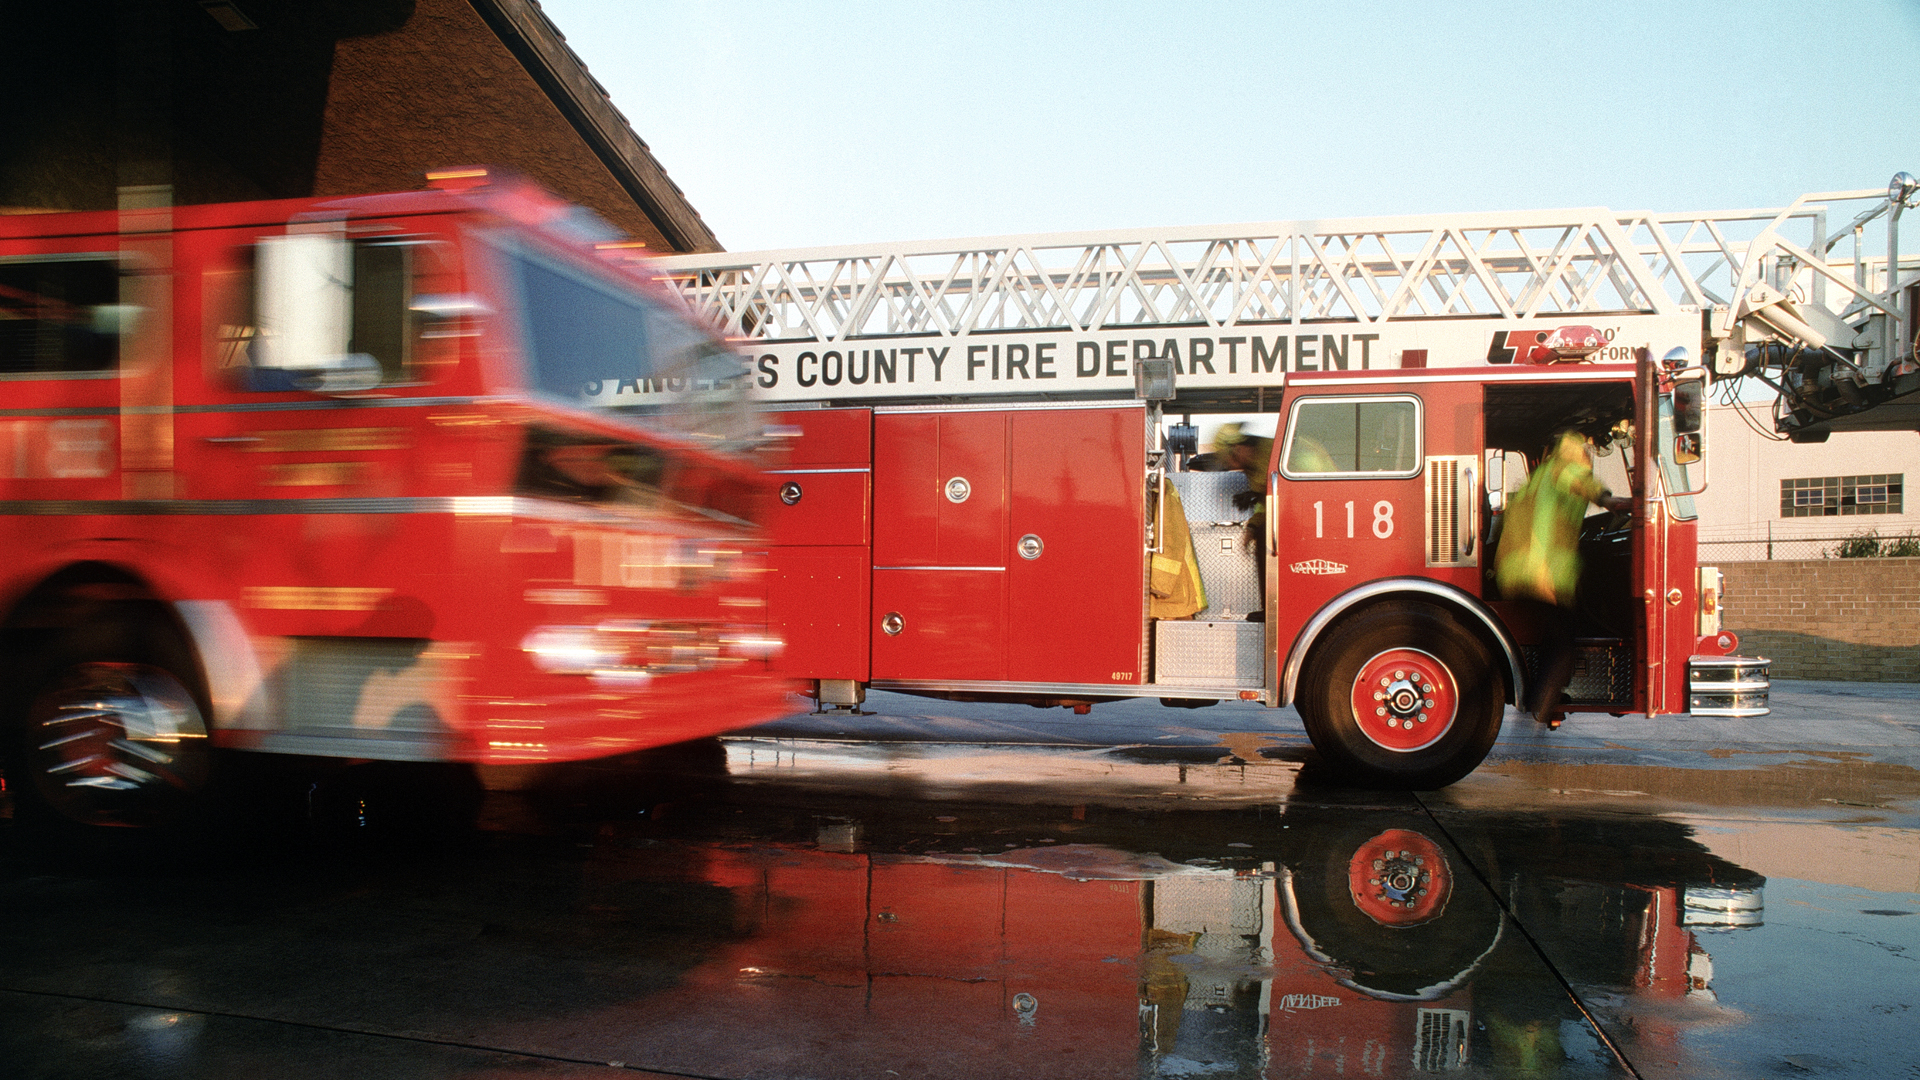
(360, 478)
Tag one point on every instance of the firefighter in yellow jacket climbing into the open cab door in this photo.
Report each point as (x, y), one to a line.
(1539, 558)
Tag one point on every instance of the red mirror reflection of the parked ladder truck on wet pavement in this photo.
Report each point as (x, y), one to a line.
(936, 939)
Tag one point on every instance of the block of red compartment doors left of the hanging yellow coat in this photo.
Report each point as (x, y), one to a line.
(953, 499)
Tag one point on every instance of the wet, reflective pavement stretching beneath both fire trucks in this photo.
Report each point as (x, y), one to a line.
(976, 891)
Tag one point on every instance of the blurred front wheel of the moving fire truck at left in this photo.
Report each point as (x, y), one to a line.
(108, 733)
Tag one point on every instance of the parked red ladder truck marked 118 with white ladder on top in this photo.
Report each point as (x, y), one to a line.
(980, 495)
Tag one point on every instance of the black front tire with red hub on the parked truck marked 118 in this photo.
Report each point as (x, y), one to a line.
(1433, 699)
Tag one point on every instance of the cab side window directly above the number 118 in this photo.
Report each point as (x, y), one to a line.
(1353, 437)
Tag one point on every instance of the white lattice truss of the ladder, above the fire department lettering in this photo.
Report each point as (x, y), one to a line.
(1364, 272)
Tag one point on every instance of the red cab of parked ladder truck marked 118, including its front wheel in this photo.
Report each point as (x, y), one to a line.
(1393, 635)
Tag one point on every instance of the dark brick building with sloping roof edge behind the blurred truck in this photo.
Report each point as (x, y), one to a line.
(281, 99)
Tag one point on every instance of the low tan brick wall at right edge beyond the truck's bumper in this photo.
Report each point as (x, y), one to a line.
(1856, 620)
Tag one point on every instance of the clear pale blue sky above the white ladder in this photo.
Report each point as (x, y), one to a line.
(798, 124)
